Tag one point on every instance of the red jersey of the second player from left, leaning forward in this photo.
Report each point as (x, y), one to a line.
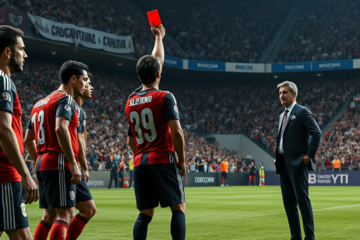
(43, 122)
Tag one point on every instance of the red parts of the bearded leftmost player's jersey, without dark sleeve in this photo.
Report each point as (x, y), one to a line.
(8, 172)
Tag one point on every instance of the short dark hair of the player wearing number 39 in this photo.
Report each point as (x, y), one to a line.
(147, 68)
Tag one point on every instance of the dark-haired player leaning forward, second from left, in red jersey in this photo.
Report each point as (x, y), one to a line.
(51, 138)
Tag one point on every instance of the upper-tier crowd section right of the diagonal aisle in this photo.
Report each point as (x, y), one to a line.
(326, 30)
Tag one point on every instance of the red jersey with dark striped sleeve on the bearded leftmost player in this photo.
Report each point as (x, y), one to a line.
(9, 101)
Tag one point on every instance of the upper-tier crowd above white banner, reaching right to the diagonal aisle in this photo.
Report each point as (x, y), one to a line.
(236, 38)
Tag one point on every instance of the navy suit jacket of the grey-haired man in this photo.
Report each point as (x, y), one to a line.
(302, 137)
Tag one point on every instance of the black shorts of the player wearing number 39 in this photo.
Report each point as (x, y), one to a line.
(158, 183)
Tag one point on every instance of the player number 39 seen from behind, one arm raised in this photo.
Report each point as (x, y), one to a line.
(154, 134)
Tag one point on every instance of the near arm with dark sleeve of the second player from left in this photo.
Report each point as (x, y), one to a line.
(65, 110)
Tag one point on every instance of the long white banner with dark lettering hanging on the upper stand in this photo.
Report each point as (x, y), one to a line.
(86, 37)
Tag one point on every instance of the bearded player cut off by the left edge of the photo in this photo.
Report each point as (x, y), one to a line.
(14, 175)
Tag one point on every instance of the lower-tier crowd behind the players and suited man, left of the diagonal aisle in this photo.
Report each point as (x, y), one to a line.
(242, 110)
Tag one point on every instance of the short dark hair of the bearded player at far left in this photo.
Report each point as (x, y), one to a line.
(8, 37)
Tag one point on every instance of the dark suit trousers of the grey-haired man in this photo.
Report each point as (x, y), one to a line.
(295, 193)
